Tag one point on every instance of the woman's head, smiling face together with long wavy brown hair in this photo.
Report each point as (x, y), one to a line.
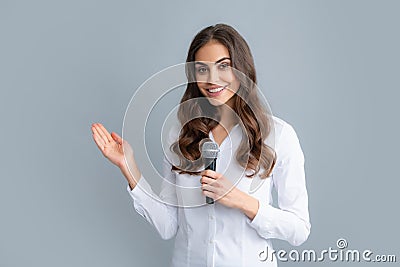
(224, 73)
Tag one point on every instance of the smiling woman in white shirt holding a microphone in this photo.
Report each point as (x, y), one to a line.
(237, 229)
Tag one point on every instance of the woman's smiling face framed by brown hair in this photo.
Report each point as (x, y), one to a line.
(214, 74)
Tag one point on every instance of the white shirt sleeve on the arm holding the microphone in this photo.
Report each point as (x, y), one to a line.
(290, 221)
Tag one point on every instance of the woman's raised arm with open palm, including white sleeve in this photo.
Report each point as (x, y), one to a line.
(152, 207)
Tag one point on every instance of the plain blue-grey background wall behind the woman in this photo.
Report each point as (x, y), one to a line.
(327, 67)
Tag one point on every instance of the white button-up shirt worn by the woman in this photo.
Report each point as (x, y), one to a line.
(216, 235)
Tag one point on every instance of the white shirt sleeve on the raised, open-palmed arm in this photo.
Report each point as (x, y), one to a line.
(157, 210)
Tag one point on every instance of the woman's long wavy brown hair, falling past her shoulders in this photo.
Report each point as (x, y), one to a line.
(256, 124)
